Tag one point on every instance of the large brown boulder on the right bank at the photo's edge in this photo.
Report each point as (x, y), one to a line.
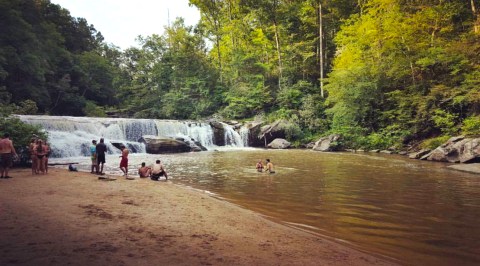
(456, 150)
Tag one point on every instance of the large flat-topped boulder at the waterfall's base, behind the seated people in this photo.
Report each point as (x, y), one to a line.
(158, 144)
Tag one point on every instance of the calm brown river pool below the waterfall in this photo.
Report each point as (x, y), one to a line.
(413, 211)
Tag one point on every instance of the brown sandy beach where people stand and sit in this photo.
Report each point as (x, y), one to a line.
(73, 218)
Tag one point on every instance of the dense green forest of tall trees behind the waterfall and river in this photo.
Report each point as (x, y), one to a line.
(382, 73)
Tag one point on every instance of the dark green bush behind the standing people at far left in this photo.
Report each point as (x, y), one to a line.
(20, 134)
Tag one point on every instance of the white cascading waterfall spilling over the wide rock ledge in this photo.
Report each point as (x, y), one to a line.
(72, 136)
